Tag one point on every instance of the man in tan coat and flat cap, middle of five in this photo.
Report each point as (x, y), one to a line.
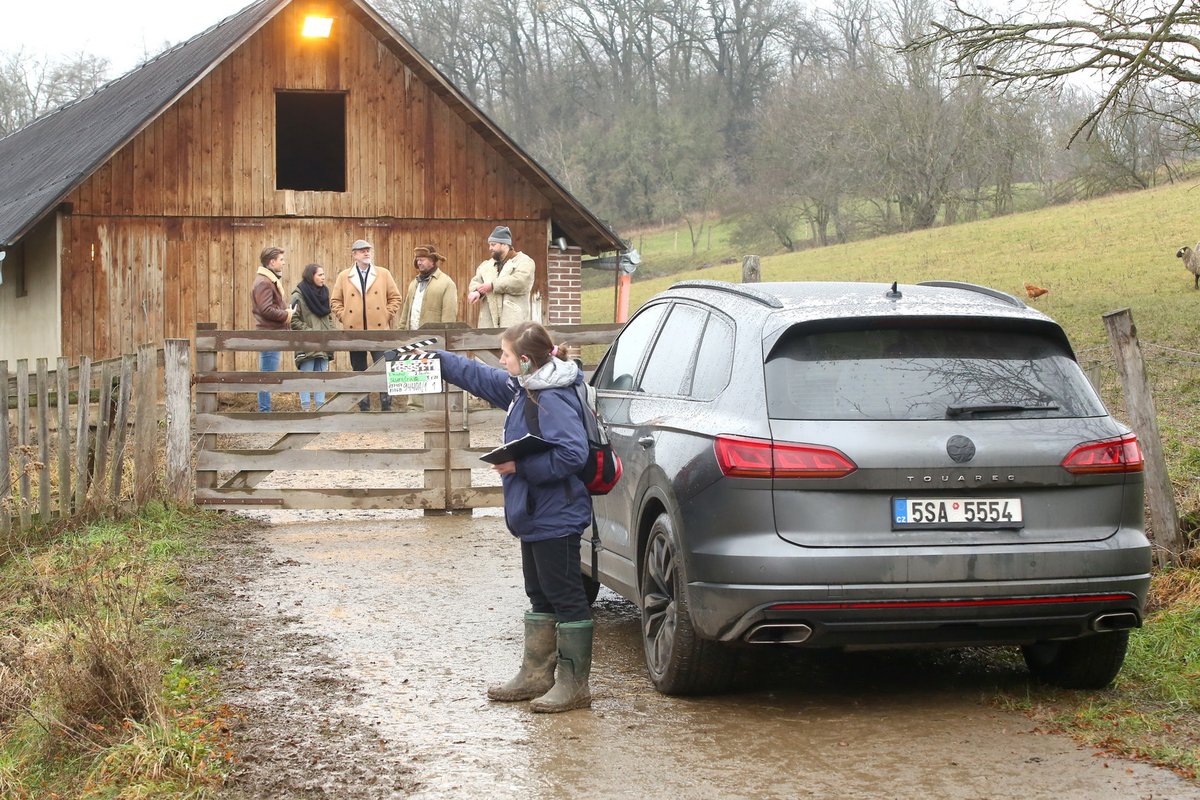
(365, 298)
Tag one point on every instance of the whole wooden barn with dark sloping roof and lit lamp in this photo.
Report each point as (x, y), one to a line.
(136, 213)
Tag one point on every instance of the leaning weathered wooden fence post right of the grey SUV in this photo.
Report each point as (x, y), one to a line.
(1165, 520)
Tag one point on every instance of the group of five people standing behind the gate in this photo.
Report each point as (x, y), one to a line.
(365, 297)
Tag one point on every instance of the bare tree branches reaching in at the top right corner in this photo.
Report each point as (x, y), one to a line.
(1127, 45)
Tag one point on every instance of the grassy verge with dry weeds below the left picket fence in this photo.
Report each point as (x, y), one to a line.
(98, 699)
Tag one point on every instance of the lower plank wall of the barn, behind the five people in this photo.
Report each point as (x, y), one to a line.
(133, 281)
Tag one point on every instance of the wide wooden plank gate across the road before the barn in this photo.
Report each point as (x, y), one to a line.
(239, 450)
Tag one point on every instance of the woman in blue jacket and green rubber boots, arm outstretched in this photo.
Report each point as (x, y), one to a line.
(547, 507)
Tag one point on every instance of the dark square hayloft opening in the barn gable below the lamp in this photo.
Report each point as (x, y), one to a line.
(310, 141)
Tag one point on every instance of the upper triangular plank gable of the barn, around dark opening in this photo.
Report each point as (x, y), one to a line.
(213, 153)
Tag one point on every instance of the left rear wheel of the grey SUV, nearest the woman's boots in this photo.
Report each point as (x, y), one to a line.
(679, 660)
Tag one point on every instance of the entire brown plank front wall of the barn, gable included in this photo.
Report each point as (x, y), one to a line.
(167, 233)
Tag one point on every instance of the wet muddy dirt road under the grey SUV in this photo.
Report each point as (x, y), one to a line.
(363, 648)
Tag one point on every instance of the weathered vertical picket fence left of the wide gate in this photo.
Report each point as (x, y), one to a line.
(87, 438)
